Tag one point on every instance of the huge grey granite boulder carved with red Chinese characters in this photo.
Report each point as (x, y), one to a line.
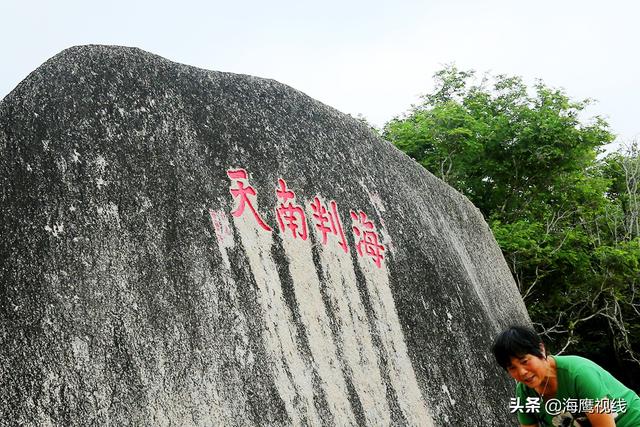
(189, 247)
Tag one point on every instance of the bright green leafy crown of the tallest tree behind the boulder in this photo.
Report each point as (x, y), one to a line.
(503, 148)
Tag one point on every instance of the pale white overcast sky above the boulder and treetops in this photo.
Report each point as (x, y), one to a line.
(362, 57)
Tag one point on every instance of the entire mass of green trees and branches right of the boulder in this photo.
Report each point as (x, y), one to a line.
(567, 221)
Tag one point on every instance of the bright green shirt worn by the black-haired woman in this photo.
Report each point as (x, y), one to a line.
(580, 381)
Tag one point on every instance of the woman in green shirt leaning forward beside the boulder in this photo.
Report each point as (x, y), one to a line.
(562, 390)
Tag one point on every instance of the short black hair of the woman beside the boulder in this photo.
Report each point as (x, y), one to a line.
(516, 341)
